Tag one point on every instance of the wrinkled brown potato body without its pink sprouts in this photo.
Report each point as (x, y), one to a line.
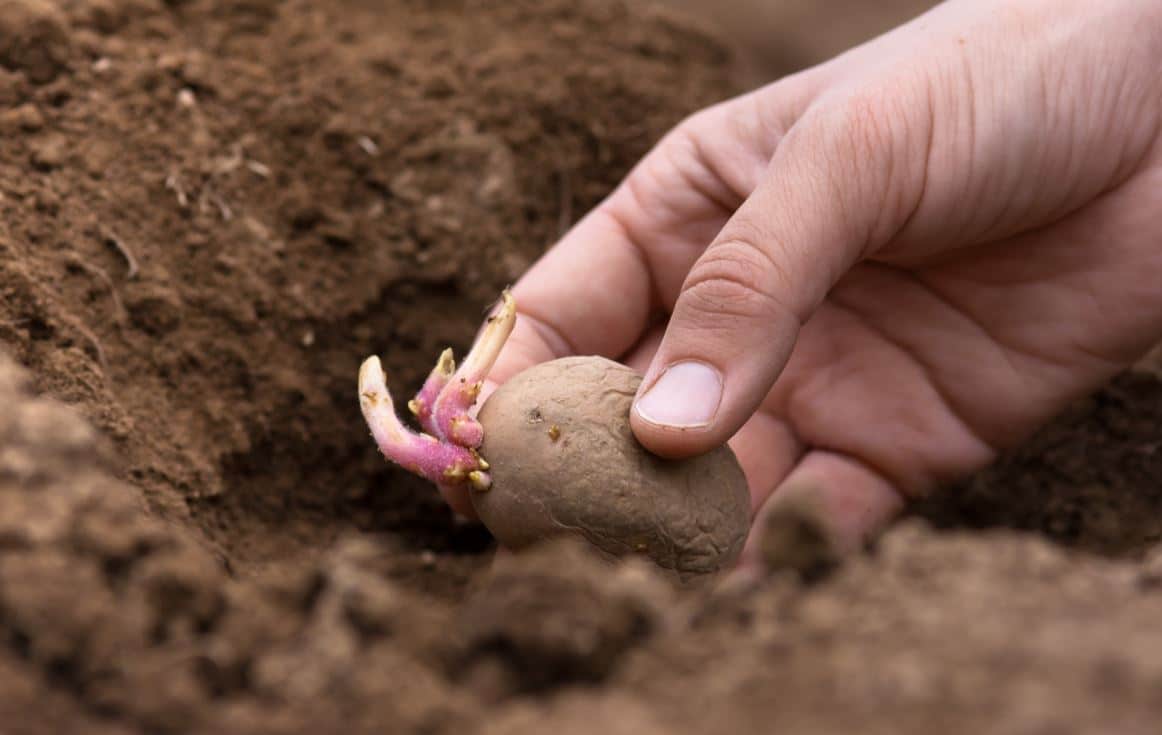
(564, 462)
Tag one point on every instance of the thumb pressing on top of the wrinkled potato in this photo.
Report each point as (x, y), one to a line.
(837, 185)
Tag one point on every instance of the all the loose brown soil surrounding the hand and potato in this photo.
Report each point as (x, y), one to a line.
(211, 211)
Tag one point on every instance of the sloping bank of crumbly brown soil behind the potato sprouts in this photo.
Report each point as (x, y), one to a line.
(218, 208)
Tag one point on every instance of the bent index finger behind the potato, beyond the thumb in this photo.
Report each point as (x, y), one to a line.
(594, 292)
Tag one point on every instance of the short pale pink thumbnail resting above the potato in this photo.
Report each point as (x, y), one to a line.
(686, 397)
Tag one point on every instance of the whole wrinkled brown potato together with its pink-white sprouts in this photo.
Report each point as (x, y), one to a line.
(551, 455)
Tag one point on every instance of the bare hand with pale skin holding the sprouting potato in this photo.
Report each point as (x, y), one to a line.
(876, 275)
